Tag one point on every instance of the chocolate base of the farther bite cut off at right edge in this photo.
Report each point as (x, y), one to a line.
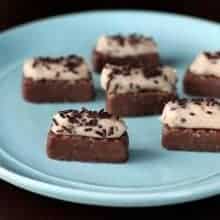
(201, 85)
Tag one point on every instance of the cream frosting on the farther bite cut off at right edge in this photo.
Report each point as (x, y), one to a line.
(202, 65)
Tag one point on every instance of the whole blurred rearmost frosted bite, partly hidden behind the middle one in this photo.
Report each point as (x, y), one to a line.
(120, 50)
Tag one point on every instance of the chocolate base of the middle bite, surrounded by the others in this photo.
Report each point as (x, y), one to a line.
(137, 104)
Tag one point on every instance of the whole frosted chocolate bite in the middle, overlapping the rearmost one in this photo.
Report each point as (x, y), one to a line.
(135, 91)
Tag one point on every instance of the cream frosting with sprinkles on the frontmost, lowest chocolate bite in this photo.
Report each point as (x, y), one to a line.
(114, 128)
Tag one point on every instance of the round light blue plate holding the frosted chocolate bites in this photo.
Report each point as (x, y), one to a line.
(152, 176)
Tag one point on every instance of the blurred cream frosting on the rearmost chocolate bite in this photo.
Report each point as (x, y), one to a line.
(107, 45)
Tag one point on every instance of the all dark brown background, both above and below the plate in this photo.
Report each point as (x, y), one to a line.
(19, 204)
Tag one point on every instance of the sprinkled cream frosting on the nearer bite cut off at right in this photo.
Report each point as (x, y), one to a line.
(191, 115)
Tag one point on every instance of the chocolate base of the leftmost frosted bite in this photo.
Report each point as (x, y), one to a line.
(57, 91)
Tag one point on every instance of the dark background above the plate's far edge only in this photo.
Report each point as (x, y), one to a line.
(14, 12)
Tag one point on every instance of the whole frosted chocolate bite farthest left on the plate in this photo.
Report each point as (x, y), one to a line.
(62, 79)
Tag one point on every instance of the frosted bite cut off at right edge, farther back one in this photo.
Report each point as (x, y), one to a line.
(203, 76)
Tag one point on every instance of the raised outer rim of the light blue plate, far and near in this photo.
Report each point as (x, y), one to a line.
(101, 198)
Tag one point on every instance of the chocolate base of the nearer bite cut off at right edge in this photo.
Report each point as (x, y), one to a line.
(191, 139)
